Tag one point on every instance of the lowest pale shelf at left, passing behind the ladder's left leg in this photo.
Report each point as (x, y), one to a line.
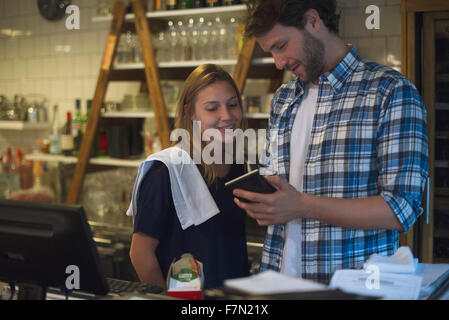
(104, 161)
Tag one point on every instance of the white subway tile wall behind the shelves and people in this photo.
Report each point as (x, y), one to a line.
(63, 64)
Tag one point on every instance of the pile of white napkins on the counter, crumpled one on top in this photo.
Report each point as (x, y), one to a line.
(390, 278)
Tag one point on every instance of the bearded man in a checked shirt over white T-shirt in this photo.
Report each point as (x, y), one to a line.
(348, 135)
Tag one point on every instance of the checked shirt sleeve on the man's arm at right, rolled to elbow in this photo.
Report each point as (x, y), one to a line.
(403, 152)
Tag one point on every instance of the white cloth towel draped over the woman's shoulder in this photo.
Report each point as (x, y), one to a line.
(193, 202)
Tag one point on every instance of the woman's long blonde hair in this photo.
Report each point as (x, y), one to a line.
(200, 78)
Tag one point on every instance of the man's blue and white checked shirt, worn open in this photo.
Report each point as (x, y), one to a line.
(369, 137)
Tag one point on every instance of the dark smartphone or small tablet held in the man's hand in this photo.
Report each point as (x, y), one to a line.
(251, 181)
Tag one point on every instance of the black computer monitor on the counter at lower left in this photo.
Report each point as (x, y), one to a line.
(47, 245)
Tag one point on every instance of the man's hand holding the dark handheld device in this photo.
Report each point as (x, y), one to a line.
(279, 207)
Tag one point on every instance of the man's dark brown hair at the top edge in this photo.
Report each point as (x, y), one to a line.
(264, 14)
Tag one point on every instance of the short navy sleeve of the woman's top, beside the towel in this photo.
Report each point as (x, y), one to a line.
(153, 202)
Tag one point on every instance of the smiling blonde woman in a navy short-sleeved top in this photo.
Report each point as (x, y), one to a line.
(211, 97)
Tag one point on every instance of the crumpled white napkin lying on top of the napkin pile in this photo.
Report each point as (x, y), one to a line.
(401, 261)
